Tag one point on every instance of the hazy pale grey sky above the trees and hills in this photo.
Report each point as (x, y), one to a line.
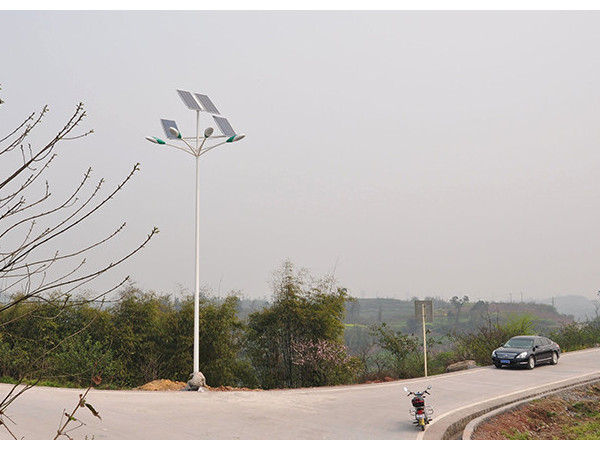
(414, 153)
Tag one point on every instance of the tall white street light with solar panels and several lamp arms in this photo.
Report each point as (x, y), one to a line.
(199, 103)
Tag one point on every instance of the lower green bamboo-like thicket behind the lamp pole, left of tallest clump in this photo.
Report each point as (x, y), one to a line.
(142, 338)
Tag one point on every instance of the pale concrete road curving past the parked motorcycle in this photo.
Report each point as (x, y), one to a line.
(374, 411)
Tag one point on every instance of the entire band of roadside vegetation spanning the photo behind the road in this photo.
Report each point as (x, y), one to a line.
(301, 338)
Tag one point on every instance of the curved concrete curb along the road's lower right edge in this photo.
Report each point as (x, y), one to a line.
(455, 425)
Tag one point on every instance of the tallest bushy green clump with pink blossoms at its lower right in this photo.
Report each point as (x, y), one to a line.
(282, 339)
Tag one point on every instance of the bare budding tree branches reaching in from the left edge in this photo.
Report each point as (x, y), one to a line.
(34, 227)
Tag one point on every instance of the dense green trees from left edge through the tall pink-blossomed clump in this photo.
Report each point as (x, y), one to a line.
(296, 341)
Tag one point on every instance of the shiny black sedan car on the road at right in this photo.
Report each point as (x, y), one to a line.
(528, 351)
